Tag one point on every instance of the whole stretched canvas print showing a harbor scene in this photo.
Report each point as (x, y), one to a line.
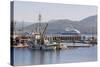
(50, 33)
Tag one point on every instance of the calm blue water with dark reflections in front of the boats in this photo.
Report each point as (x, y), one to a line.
(26, 56)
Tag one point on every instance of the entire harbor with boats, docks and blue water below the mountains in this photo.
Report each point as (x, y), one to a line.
(39, 47)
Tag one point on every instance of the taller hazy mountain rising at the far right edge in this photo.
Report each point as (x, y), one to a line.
(88, 25)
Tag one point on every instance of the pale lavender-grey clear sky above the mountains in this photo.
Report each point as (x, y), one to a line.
(29, 11)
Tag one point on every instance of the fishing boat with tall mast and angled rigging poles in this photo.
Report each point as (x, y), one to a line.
(39, 40)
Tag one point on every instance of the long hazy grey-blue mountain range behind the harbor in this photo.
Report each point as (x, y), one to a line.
(86, 25)
